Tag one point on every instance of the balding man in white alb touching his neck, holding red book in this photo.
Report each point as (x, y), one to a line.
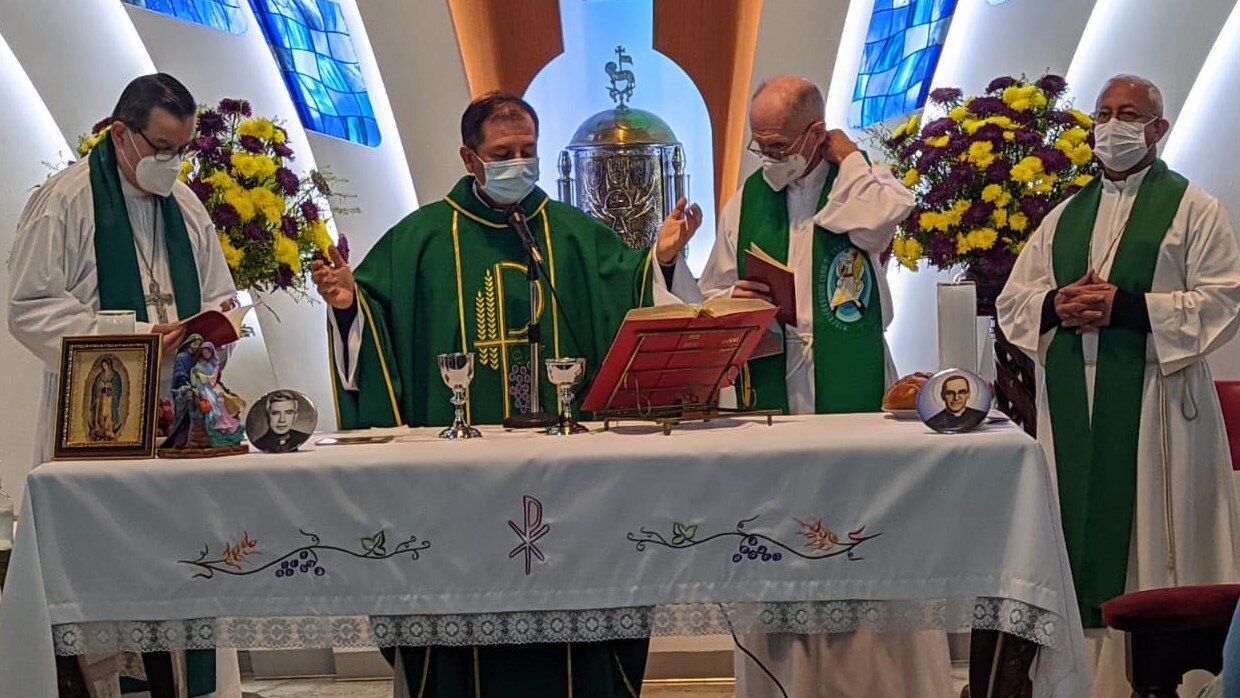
(820, 208)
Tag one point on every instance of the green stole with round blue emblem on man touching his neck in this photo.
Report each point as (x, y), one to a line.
(849, 358)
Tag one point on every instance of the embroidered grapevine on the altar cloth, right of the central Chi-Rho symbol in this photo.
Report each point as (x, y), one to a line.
(820, 541)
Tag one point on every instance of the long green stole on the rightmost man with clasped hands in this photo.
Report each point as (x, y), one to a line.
(1097, 454)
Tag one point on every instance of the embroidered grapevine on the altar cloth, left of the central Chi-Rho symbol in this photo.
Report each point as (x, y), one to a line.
(236, 560)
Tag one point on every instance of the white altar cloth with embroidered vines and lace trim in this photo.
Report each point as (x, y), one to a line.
(814, 525)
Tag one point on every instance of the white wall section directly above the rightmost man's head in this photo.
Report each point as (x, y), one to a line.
(1166, 43)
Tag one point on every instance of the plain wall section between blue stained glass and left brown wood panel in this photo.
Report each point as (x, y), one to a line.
(415, 46)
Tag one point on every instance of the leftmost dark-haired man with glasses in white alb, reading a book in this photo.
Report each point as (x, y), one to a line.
(117, 231)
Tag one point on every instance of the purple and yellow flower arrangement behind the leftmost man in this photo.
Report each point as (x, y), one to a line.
(271, 221)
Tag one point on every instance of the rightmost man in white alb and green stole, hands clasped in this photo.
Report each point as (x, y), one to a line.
(1120, 294)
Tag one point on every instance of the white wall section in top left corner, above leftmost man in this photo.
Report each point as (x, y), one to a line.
(79, 55)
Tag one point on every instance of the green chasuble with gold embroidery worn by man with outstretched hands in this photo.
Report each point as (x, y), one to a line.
(452, 277)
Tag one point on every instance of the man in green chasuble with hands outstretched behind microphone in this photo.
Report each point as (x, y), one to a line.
(452, 278)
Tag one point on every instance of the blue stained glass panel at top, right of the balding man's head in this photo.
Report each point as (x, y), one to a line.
(902, 50)
